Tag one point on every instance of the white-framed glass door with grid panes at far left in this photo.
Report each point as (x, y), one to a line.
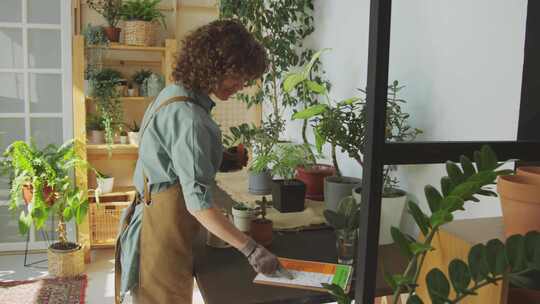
(35, 90)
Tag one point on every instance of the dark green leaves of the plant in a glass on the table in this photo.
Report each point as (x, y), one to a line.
(347, 217)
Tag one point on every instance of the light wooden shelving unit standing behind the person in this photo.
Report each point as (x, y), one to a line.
(117, 160)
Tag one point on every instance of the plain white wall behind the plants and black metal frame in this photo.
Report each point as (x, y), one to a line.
(460, 59)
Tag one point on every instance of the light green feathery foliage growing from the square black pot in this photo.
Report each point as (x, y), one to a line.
(288, 157)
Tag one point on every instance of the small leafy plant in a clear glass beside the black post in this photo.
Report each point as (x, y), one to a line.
(345, 222)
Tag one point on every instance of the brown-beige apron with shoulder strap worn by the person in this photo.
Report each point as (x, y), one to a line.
(166, 257)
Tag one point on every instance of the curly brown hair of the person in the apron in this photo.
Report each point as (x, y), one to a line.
(215, 51)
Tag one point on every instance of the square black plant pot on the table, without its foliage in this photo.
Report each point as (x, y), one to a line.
(288, 195)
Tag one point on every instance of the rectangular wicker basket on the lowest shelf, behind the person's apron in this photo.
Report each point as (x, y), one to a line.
(104, 221)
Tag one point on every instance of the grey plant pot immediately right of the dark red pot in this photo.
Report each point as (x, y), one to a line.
(338, 187)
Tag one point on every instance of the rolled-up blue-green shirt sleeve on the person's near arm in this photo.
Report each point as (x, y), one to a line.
(191, 156)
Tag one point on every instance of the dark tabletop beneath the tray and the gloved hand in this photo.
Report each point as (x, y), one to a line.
(224, 275)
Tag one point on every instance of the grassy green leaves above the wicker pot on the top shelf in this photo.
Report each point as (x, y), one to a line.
(142, 10)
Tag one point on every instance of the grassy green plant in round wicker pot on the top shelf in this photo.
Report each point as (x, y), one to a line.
(139, 16)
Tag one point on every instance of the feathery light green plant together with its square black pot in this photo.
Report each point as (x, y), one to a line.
(288, 193)
